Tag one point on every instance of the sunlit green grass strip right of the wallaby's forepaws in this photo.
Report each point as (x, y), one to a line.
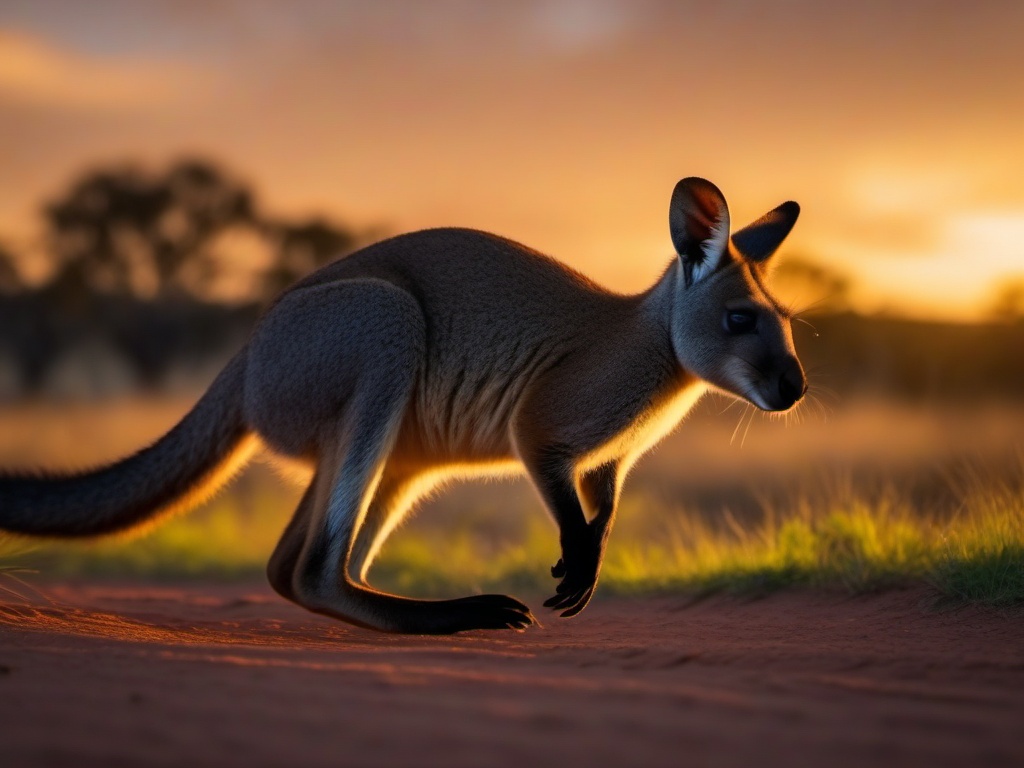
(858, 547)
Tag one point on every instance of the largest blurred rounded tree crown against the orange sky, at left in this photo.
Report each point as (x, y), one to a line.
(127, 232)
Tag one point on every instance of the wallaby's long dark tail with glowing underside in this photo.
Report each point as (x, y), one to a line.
(178, 473)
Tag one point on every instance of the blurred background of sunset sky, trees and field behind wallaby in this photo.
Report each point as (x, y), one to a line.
(170, 166)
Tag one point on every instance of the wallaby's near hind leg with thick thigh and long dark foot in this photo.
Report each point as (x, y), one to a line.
(332, 372)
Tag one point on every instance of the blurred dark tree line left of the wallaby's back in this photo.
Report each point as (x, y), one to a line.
(152, 271)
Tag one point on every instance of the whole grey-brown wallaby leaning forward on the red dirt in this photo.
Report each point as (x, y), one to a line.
(454, 354)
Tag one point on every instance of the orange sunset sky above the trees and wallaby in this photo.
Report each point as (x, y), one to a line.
(900, 126)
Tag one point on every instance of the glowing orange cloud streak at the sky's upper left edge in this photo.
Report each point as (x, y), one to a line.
(35, 72)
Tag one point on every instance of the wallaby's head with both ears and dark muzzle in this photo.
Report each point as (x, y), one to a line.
(727, 326)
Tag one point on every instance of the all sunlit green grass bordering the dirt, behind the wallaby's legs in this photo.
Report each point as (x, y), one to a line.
(835, 541)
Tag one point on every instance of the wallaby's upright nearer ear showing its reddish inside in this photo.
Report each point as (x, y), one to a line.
(699, 221)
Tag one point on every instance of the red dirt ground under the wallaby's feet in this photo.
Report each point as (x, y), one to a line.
(232, 676)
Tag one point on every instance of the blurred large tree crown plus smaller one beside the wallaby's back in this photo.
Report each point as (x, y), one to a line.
(125, 232)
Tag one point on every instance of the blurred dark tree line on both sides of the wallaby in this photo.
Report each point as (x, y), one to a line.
(154, 278)
